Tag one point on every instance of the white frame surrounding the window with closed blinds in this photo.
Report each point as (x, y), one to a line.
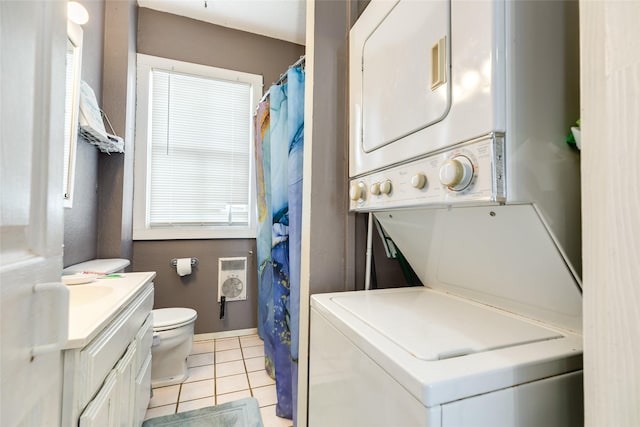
(141, 228)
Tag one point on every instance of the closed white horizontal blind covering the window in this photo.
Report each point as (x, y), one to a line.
(200, 151)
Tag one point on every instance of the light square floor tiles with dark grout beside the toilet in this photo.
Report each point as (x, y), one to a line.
(220, 371)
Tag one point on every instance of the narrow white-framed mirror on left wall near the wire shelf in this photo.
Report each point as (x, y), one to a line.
(71, 106)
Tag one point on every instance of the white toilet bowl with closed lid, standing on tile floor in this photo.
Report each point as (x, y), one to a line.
(172, 342)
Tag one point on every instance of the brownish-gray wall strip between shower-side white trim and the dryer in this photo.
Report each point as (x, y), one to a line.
(332, 240)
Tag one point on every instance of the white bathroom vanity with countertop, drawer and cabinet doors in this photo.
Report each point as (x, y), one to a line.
(107, 360)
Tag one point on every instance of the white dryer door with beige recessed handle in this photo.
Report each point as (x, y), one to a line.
(406, 72)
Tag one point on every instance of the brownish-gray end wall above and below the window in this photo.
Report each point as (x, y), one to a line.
(184, 39)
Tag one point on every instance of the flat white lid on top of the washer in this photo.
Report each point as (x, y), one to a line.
(431, 326)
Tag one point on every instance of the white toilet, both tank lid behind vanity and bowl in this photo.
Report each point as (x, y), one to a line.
(172, 328)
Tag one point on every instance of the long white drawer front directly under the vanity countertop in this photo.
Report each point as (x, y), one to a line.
(101, 355)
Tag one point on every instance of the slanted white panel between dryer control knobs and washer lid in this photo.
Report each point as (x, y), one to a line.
(501, 256)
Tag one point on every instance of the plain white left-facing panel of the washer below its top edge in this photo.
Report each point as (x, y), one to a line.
(347, 388)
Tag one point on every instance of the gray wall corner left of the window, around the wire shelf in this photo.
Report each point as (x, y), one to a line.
(99, 223)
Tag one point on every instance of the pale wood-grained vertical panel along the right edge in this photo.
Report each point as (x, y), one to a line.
(610, 98)
